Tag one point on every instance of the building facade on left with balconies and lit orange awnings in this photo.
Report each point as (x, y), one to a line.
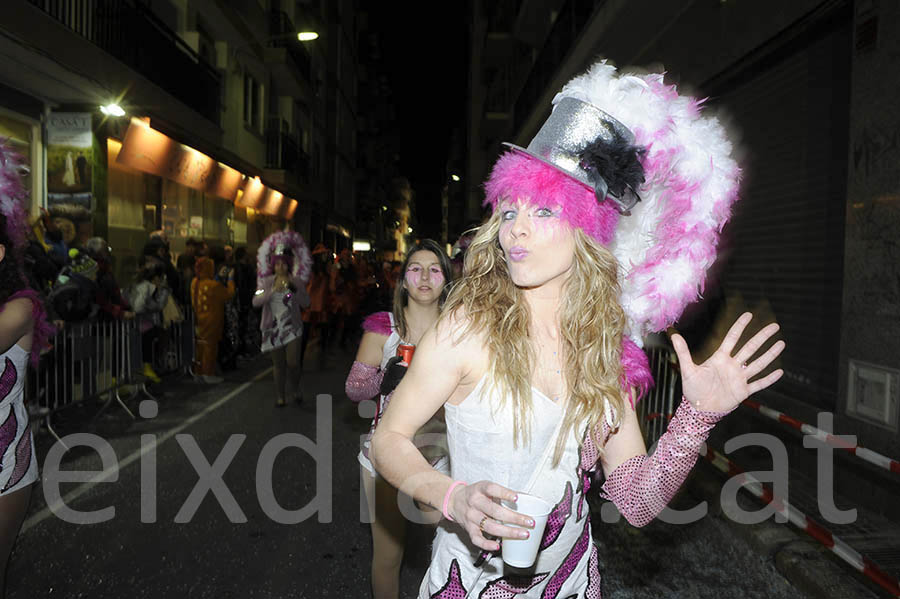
(237, 122)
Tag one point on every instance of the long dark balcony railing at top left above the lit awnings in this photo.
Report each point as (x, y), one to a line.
(130, 32)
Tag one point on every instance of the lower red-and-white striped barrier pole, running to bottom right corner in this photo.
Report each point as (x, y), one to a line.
(804, 522)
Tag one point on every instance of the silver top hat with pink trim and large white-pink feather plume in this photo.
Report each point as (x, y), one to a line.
(638, 168)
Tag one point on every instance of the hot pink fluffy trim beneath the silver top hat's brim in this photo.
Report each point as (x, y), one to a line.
(517, 175)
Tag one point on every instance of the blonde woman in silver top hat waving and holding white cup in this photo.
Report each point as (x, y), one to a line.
(602, 231)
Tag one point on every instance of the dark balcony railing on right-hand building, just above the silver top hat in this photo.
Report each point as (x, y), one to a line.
(573, 18)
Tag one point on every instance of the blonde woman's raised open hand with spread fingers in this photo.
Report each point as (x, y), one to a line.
(722, 382)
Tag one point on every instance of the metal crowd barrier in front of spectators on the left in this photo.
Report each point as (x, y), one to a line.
(102, 361)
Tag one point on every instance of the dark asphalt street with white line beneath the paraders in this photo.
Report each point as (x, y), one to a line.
(233, 541)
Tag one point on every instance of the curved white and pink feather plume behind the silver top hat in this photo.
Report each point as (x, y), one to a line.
(669, 242)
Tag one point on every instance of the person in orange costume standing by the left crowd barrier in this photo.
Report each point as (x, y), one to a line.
(208, 298)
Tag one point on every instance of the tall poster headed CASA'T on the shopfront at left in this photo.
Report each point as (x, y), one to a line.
(69, 158)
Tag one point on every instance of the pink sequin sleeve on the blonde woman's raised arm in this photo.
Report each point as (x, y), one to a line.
(643, 485)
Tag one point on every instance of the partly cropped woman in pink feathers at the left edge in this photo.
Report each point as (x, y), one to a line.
(24, 331)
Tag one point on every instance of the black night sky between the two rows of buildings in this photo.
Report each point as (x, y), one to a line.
(425, 57)
